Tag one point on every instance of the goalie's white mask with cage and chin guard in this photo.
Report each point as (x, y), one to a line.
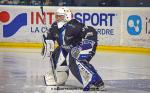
(63, 15)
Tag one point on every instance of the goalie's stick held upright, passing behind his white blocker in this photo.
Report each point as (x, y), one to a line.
(51, 60)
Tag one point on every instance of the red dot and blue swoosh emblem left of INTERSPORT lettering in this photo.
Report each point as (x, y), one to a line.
(14, 25)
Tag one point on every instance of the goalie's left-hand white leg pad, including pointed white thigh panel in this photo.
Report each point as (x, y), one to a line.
(60, 71)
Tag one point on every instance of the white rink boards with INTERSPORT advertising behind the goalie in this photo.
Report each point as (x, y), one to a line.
(123, 27)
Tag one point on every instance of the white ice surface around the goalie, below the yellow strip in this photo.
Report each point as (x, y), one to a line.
(21, 71)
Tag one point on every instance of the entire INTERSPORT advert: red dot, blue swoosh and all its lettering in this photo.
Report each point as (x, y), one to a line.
(38, 23)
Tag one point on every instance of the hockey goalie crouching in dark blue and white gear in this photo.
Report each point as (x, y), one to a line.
(76, 47)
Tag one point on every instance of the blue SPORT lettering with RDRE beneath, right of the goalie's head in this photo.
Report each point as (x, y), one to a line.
(101, 20)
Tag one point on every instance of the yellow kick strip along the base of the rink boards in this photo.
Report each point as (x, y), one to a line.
(38, 46)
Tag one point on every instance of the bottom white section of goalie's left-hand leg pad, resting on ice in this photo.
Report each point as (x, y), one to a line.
(61, 78)
